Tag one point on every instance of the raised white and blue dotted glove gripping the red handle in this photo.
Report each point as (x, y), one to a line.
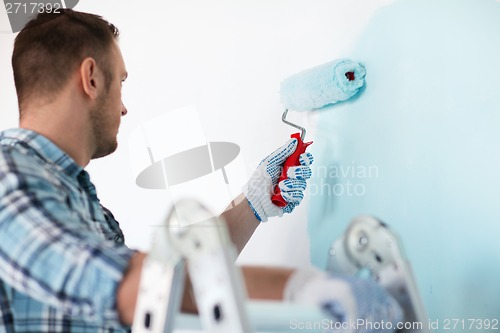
(260, 187)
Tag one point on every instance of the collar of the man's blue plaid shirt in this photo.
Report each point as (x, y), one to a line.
(43, 147)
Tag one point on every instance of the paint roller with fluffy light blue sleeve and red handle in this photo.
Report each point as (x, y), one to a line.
(313, 89)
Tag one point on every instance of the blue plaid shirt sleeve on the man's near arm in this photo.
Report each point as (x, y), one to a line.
(47, 253)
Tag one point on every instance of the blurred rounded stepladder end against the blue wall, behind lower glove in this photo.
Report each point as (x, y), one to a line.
(370, 246)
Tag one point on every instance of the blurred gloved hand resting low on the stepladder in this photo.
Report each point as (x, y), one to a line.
(352, 304)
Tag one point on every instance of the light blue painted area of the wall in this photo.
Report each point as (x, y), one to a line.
(426, 134)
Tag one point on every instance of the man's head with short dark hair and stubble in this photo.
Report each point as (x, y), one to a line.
(54, 49)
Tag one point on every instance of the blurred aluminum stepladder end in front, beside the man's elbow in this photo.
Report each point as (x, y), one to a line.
(191, 239)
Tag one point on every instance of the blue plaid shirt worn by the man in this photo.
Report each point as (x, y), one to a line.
(62, 254)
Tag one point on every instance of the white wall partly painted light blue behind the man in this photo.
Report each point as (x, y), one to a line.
(426, 123)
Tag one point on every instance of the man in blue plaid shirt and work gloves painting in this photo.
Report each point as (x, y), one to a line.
(63, 262)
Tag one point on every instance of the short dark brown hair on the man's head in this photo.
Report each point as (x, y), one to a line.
(52, 45)
